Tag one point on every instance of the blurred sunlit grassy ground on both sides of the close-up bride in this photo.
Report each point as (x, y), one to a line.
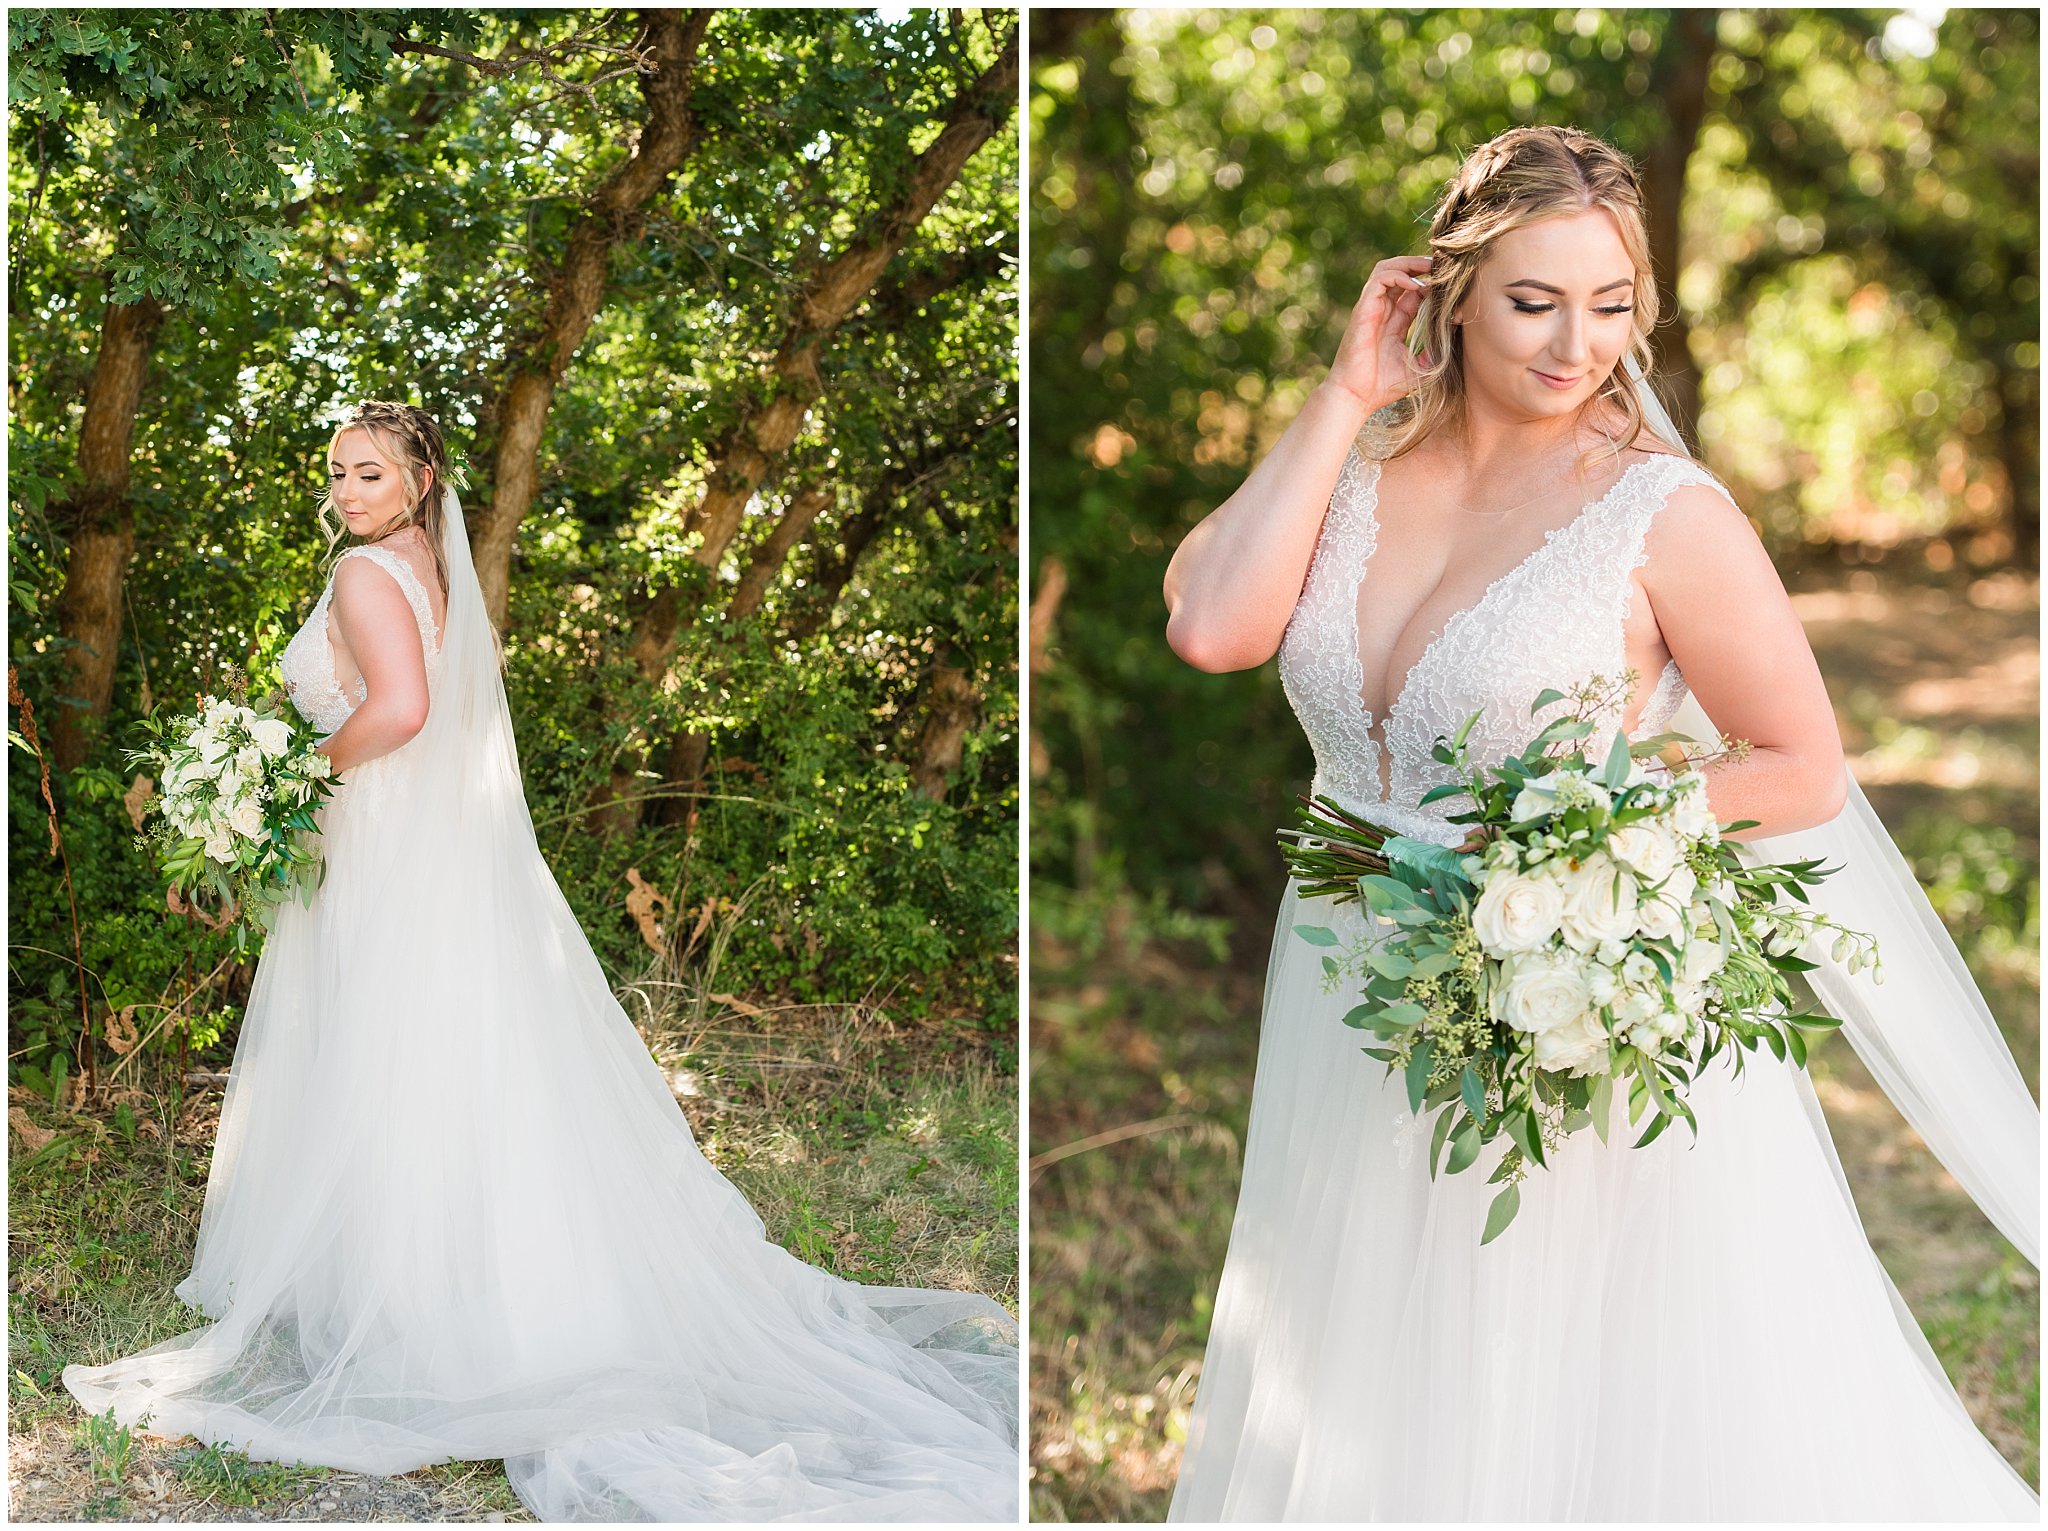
(1146, 1047)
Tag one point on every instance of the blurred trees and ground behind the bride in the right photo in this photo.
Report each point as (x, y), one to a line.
(1846, 218)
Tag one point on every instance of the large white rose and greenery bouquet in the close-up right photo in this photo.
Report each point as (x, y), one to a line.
(1592, 934)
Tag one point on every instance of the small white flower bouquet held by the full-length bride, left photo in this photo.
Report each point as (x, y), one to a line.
(234, 810)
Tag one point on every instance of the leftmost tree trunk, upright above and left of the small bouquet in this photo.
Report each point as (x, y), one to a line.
(103, 525)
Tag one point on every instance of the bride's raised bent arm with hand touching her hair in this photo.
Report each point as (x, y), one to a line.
(1236, 578)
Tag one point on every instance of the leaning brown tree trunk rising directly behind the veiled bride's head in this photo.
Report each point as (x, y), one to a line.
(611, 218)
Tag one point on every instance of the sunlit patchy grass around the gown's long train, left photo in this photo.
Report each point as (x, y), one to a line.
(861, 1143)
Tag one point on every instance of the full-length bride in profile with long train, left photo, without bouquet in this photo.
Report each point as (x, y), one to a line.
(454, 1211)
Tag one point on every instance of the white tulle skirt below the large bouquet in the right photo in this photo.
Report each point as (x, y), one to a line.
(1691, 1331)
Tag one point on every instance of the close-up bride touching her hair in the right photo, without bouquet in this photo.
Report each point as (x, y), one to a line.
(1689, 1331)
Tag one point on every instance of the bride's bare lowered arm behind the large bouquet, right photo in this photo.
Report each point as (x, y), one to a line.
(1725, 617)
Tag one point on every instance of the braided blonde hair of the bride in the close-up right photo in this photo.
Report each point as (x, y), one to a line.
(1523, 177)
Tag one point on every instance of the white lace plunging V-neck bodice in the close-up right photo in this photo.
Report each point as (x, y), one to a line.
(1553, 621)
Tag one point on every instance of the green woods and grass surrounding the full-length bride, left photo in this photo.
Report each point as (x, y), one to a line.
(720, 306)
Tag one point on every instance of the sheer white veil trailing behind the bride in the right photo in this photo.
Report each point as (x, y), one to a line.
(1926, 1035)
